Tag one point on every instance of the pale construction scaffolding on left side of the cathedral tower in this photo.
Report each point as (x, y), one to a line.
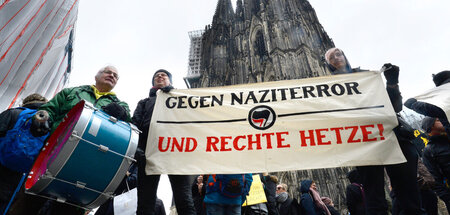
(195, 54)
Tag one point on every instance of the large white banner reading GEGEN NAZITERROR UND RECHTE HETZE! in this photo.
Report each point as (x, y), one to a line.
(323, 122)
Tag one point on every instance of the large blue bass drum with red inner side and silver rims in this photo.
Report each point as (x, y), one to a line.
(85, 159)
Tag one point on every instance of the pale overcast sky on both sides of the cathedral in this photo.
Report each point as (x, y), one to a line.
(141, 36)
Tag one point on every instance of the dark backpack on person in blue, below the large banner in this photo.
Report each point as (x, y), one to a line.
(231, 186)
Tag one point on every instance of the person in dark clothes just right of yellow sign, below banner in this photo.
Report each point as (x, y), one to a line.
(285, 204)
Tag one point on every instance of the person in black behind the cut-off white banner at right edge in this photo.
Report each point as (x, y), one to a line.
(427, 109)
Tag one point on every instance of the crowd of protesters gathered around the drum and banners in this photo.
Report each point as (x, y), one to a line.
(224, 194)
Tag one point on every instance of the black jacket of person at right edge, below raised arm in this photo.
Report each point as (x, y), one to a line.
(436, 157)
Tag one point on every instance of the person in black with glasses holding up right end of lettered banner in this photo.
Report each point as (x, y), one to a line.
(402, 176)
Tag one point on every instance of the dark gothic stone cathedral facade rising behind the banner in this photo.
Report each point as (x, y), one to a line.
(264, 40)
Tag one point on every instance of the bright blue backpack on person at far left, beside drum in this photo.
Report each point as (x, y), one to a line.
(19, 149)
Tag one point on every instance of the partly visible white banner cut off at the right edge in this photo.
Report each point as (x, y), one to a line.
(438, 96)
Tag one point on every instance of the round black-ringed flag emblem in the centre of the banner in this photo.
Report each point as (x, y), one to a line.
(261, 117)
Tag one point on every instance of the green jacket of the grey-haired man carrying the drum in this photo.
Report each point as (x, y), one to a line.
(61, 104)
